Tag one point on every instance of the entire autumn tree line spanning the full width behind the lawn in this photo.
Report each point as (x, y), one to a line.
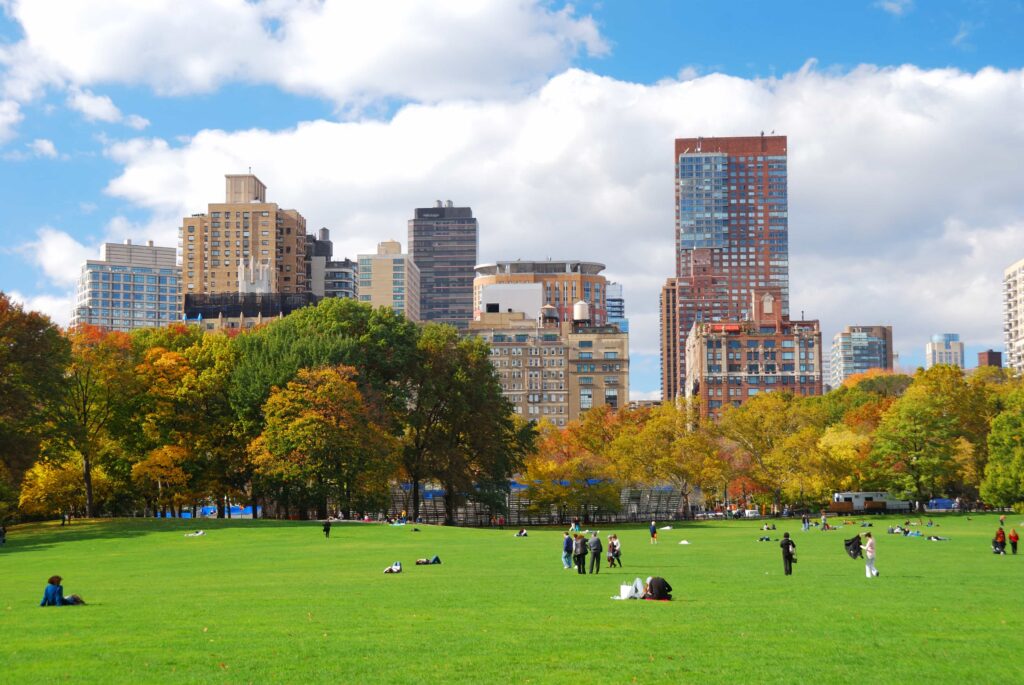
(329, 407)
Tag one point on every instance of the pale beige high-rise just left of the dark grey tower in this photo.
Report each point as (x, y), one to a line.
(391, 279)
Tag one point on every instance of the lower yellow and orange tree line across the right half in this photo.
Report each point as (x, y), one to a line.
(937, 434)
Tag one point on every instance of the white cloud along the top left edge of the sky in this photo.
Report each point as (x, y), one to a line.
(348, 53)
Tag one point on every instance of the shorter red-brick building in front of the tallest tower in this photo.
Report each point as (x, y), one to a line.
(731, 361)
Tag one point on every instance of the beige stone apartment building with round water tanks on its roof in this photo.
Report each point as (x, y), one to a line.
(557, 370)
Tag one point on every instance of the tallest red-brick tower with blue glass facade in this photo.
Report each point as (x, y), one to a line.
(732, 232)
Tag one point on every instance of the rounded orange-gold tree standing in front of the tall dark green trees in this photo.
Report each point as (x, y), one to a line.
(321, 442)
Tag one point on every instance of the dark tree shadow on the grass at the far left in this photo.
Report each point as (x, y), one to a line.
(31, 537)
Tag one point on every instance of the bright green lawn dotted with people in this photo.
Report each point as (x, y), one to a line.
(275, 603)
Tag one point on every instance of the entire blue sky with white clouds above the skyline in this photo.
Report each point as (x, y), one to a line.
(556, 124)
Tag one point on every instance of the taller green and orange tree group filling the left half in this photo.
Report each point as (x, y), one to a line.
(323, 409)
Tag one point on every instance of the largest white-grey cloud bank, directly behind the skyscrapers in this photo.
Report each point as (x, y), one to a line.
(905, 184)
